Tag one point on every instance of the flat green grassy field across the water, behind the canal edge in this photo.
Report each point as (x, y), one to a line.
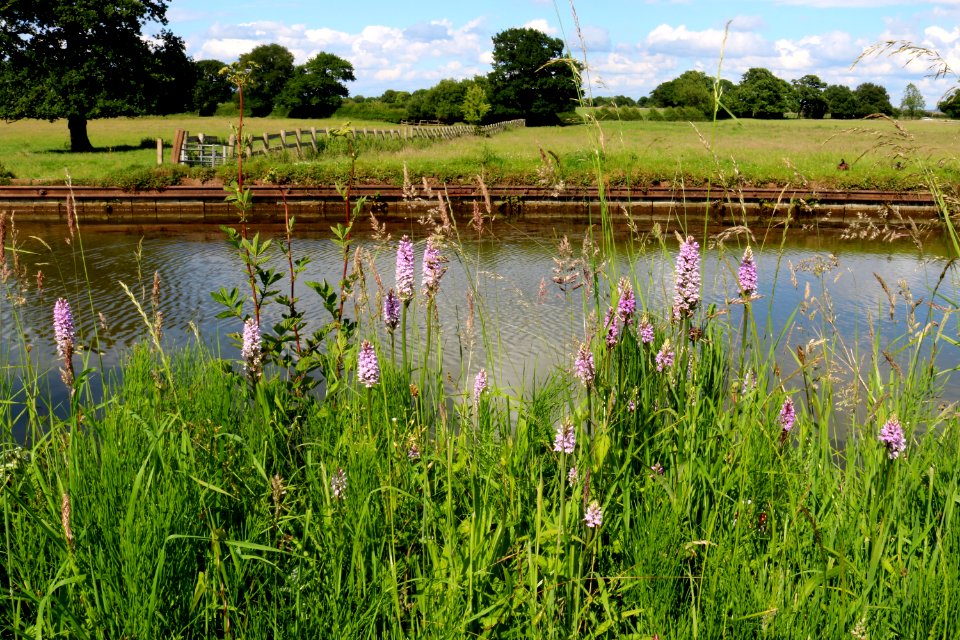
(753, 151)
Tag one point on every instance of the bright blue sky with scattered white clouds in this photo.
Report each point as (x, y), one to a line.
(631, 45)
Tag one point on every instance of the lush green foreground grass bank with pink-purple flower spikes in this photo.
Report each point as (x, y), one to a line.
(668, 480)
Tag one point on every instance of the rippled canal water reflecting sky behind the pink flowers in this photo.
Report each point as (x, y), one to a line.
(831, 289)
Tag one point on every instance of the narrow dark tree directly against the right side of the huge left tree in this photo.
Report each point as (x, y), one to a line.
(173, 76)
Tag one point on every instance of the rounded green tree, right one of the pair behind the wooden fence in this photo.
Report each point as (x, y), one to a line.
(316, 88)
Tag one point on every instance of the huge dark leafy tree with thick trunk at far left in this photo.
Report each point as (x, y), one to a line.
(75, 59)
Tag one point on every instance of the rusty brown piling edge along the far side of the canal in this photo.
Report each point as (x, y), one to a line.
(664, 205)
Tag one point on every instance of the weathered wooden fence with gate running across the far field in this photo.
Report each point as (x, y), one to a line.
(210, 151)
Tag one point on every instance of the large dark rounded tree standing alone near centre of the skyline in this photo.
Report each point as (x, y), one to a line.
(527, 80)
